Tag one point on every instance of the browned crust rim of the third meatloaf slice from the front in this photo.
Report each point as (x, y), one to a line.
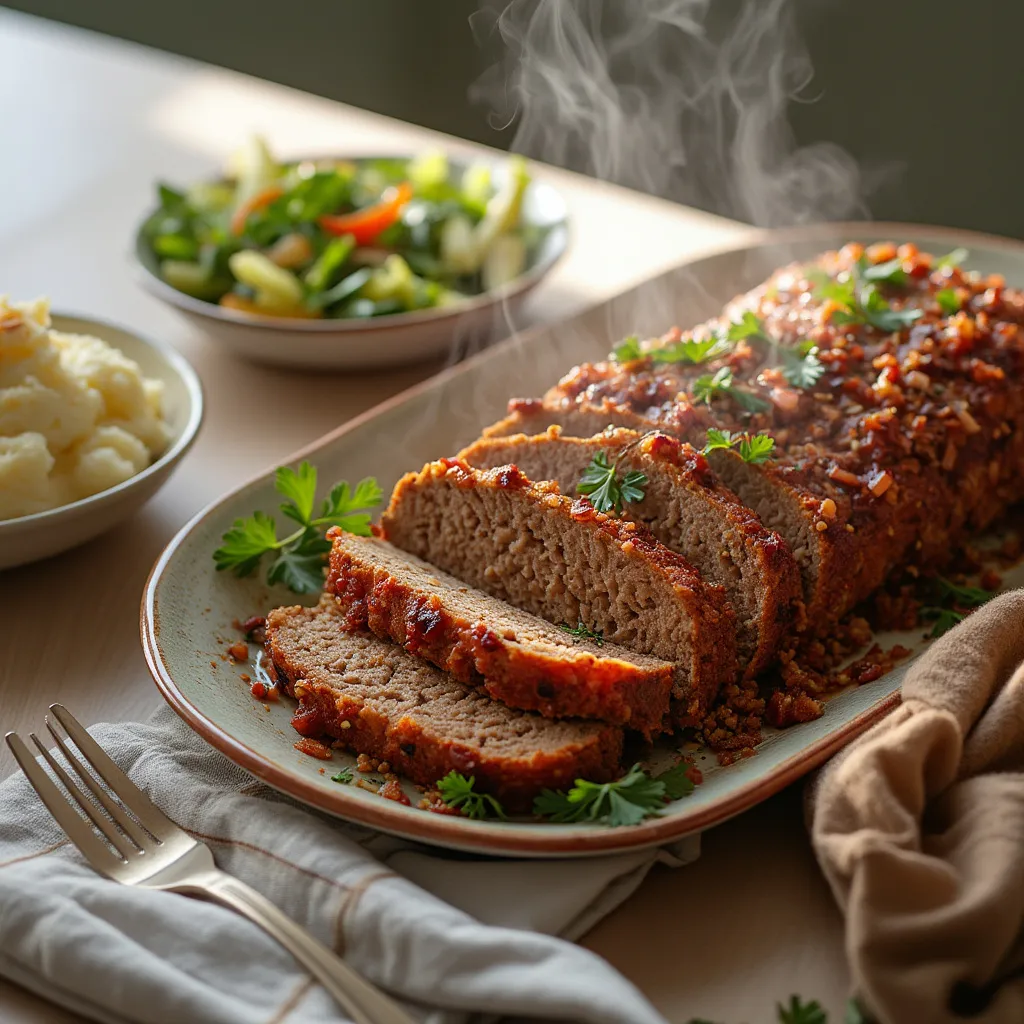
(713, 639)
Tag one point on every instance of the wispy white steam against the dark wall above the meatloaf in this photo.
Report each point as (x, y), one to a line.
(669, 97)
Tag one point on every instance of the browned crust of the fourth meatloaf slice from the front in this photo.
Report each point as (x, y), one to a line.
(689, 509)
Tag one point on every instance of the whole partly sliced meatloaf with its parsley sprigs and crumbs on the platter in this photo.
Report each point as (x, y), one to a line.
(701, 537)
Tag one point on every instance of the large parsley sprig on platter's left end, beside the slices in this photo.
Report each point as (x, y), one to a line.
(298, 559)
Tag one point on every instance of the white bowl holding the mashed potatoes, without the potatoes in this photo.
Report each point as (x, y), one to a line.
(33, 537)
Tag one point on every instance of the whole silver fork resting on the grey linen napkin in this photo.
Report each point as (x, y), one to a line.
(151, 851)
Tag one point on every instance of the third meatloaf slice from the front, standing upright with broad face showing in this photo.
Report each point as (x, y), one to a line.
(559, 559)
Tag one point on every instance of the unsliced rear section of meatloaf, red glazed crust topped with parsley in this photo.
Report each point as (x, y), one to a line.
(900, 438)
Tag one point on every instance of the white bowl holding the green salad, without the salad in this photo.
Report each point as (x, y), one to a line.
(380, 342)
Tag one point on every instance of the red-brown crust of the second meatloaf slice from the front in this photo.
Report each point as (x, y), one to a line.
(569, 685)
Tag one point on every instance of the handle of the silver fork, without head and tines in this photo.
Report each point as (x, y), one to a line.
(362, 1001)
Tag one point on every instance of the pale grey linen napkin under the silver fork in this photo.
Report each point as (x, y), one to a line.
(452, 935)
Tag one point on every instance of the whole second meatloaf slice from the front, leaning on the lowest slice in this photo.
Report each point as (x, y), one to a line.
(519, 659)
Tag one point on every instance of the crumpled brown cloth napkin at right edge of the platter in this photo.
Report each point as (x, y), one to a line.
(919, 827)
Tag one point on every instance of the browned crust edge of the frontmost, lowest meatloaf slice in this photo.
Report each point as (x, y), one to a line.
(326, 710)
